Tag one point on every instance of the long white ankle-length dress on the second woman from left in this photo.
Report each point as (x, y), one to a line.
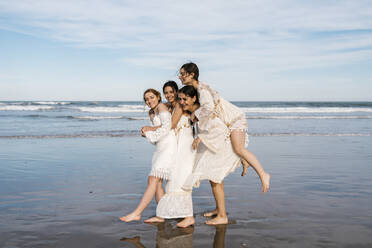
(177, 203)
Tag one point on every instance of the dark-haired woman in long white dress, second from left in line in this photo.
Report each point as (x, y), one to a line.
(177, 203)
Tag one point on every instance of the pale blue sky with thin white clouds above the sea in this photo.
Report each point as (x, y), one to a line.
(113, 50)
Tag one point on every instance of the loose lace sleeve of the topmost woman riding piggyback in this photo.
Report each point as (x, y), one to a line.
(205, 112)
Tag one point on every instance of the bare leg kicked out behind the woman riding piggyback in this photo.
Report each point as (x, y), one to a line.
(237, 140)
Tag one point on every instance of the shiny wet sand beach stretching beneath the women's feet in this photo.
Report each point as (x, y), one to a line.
(71, 192)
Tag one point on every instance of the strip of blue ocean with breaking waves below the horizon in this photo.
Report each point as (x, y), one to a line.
(62, 119)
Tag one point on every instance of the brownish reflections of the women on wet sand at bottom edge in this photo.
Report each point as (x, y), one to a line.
(169, 236)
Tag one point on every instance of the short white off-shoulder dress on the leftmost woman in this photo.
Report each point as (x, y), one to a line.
(164, 138)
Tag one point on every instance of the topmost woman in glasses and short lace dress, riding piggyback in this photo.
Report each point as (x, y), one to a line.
(213, 106)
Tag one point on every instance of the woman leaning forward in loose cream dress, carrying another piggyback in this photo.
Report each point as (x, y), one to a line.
(215, 157)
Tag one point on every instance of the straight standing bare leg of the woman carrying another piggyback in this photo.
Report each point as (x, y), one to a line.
(219, 196)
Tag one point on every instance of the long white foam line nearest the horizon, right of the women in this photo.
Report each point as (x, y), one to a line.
(307, 110)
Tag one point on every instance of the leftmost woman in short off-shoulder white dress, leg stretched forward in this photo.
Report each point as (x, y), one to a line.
(164, 155)
